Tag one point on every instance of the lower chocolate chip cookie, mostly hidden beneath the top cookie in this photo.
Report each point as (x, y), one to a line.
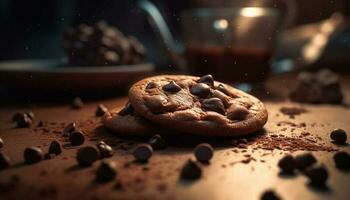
(126, 122)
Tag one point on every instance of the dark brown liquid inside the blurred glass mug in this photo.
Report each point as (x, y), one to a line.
(232, 65)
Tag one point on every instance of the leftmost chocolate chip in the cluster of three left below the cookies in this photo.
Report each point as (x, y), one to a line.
(86, 156)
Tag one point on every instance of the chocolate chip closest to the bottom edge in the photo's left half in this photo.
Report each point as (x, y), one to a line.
(106, 171)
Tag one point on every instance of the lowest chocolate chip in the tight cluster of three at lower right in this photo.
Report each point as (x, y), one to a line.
(317, 175)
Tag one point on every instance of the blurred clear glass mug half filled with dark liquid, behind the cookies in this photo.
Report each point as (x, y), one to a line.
(233, 44)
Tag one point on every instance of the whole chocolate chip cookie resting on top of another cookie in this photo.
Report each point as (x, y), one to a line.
(196, 105)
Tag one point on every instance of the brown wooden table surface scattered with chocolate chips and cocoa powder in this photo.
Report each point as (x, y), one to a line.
(224, 178)
